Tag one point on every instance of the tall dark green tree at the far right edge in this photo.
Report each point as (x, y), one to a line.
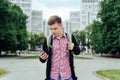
(110, 17)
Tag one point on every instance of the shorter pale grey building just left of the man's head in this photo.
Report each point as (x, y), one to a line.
(37, 21)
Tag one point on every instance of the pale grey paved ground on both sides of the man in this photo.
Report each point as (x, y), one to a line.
(32, 69)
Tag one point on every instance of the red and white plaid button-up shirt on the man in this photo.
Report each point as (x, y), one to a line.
(60, 59)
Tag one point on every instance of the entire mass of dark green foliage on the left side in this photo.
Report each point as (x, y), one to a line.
(13, 34)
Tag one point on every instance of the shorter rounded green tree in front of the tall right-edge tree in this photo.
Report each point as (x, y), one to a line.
(96, 37)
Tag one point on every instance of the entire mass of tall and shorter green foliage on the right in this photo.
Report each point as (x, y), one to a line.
(105, 35)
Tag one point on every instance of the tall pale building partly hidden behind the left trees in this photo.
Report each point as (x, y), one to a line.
(26, 6)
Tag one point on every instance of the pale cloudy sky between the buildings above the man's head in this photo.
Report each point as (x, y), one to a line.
(56, 7)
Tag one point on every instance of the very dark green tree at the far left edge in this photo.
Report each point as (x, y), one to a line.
(6, 35)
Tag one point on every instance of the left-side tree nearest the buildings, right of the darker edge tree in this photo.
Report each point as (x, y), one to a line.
(19, 20)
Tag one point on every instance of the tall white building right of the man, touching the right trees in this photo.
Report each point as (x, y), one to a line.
(89, 10)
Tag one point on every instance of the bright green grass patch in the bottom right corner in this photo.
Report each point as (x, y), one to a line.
(110, 74)
